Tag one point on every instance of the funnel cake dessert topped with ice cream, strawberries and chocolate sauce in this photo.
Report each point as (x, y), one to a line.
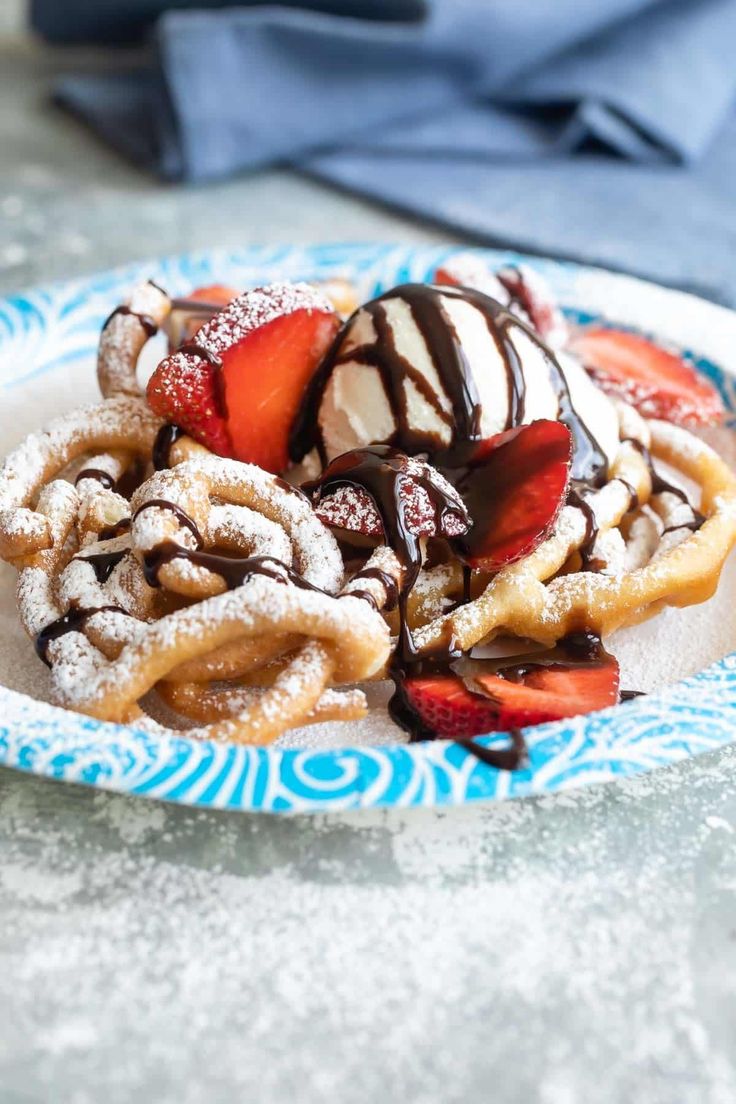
(300, 504)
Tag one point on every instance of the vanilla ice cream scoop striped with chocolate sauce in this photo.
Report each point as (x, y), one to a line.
(431, 369)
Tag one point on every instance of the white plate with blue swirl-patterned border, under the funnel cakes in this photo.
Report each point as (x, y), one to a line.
(48, 342)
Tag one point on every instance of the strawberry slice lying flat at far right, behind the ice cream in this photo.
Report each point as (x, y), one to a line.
(658, 383)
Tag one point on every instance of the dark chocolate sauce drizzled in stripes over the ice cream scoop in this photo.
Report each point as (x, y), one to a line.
(451, 363)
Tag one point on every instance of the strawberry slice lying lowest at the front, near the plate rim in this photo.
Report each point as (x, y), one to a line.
(452, 709)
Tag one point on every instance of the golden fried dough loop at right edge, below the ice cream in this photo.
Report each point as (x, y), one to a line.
(520, 601)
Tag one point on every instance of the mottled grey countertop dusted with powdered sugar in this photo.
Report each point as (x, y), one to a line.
(572, 949)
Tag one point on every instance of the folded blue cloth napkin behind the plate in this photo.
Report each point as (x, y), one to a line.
(599, 130)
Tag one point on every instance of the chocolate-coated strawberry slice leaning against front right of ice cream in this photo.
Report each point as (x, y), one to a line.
(515, 490)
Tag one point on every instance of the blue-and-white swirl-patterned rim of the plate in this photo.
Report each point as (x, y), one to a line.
(59, 744)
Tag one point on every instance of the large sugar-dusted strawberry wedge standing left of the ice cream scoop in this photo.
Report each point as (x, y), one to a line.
(258, 357)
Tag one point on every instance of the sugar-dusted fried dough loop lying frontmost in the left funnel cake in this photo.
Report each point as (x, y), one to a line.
(348, 643)
